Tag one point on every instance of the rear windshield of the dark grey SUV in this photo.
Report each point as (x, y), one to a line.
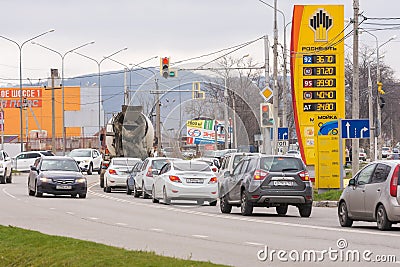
(281, 164)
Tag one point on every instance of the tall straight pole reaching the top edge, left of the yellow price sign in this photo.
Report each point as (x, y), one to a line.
(275, 95)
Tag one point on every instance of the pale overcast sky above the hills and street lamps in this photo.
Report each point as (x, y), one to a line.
(180, 29)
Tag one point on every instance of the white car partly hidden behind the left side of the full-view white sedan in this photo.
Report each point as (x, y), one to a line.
(144, 179)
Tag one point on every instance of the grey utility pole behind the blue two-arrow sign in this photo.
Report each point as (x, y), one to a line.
(356, 88)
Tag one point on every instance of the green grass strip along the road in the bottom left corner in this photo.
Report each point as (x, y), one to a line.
(20, 247)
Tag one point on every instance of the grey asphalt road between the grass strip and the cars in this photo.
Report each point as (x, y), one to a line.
(189, 231)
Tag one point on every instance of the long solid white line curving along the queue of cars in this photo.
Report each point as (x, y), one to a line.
(221, 216)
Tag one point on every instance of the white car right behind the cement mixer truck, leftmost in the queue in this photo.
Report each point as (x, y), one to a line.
(117, 173)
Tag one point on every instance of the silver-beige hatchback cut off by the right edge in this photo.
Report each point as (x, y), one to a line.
(373, 194)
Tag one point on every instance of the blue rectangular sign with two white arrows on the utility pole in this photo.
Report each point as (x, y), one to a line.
(355, 128)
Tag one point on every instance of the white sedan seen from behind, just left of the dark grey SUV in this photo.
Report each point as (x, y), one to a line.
(185, 180)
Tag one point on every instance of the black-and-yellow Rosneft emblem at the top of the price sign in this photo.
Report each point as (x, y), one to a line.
(320, 23)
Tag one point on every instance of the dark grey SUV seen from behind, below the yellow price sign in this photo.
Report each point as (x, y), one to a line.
(267, 181)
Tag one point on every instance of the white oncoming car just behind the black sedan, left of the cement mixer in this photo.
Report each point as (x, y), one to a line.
(88, 159)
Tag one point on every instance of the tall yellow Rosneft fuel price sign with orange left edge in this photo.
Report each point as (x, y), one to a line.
(317, 68)
